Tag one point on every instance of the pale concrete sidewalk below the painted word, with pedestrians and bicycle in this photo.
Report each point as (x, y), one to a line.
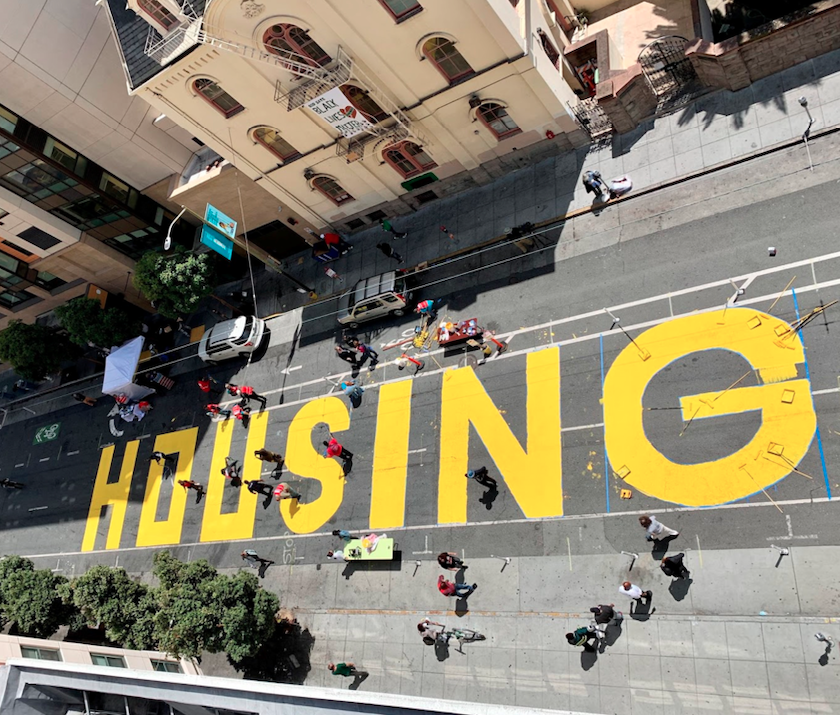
(737, 638)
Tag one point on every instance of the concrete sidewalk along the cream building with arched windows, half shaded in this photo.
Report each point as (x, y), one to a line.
(716, 129)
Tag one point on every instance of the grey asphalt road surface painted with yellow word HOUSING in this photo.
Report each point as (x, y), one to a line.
(691, 400)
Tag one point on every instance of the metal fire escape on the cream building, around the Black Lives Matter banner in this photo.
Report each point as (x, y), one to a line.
(308, 82)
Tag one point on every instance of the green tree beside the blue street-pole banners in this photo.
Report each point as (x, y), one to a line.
(175, 283)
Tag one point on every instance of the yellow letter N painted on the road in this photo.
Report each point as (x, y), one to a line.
(533, 477)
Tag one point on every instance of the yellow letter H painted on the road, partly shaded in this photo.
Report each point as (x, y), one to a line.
(114, 495)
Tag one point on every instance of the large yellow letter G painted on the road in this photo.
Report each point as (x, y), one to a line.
(788, 420)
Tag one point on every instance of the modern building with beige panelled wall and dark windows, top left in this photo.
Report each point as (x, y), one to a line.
(76, 155)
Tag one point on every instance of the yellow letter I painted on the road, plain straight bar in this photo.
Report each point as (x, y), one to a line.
(390, 456)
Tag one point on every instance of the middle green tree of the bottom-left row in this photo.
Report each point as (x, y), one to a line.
(110, 597)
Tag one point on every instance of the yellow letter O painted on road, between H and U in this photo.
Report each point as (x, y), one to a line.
(159, 533)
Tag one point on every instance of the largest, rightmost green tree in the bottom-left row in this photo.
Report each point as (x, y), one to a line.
(202, 610)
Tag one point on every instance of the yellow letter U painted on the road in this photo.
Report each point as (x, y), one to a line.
(216, 526)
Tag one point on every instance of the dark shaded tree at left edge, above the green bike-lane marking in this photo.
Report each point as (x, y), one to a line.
(34, 351)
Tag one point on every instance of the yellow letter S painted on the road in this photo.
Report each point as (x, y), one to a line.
(309, 462)
